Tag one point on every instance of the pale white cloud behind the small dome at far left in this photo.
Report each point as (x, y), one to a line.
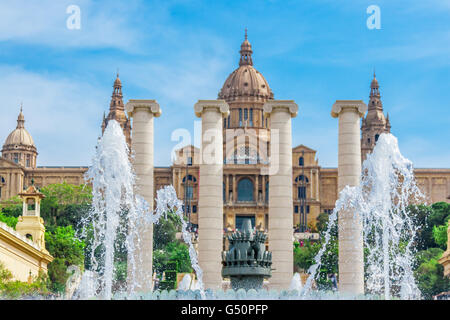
(62, 115)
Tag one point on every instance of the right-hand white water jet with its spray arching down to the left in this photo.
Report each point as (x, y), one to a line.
(380, 202)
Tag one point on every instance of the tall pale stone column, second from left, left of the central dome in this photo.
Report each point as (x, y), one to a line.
(210, 218)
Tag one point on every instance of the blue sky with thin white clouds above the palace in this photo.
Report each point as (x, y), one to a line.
(177, 52)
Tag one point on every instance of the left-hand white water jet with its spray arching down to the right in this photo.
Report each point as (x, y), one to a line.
(116, 210)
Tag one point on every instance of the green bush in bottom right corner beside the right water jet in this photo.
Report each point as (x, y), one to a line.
(430, 274)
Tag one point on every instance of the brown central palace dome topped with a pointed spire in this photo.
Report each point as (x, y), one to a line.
(246, 84)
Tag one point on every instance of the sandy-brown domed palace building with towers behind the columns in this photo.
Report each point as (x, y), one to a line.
(246, 135)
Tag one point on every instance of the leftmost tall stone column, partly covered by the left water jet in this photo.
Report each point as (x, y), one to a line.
(143, 112)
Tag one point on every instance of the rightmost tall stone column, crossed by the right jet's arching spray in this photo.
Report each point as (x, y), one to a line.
(351, 259)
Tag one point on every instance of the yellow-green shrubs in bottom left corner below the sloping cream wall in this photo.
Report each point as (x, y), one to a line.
(13, 289)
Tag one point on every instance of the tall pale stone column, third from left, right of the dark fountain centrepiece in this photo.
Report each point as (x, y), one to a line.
(280, 113)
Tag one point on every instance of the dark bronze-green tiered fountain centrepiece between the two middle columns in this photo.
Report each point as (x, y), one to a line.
(247, 263)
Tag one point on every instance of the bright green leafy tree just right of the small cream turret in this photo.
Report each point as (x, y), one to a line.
(67, 250)
